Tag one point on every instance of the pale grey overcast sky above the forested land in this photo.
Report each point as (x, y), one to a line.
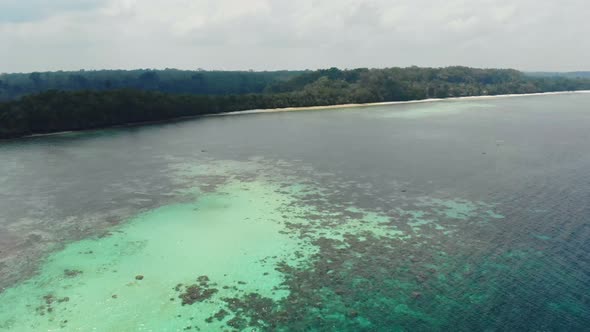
(39, 35)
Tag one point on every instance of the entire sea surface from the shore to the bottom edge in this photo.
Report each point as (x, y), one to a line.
(469, 215)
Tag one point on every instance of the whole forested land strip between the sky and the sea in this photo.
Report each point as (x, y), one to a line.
(39, 103)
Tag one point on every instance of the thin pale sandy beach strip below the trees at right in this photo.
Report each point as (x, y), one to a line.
(416, 101)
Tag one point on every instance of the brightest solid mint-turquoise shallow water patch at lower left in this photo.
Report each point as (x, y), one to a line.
(223, 236)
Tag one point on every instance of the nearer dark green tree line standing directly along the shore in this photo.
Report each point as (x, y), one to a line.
(63, 109)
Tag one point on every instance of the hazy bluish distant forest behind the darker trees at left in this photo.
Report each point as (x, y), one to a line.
(13, 86)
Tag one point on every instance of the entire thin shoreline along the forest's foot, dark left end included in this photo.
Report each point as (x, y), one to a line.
(305, 108)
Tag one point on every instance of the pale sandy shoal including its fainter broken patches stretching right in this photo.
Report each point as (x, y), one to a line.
(239, 242)
